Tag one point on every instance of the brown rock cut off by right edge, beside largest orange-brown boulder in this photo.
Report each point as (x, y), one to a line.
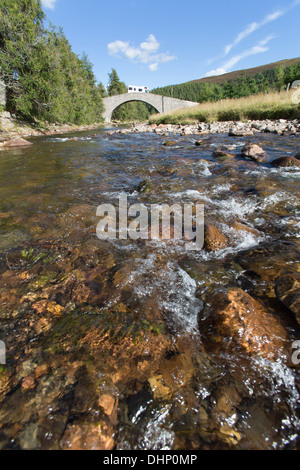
(287, 290)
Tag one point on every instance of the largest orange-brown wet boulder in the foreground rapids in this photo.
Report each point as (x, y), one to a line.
(237, 319)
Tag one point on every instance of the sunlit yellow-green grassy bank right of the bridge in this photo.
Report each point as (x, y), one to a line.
(258, 107)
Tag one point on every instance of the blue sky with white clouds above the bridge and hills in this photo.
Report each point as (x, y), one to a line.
(163, 42)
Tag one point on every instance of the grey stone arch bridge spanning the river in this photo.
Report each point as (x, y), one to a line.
(162, 104)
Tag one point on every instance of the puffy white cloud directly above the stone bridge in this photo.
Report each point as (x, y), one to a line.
(146, 53)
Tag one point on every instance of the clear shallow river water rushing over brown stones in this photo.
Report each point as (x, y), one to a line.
(107, 341)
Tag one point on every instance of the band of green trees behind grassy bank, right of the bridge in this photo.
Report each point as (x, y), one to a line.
(277, 78)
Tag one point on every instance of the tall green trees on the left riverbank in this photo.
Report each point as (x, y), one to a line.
(44, 79)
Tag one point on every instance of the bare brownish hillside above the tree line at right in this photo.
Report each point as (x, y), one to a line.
(249, 72)
